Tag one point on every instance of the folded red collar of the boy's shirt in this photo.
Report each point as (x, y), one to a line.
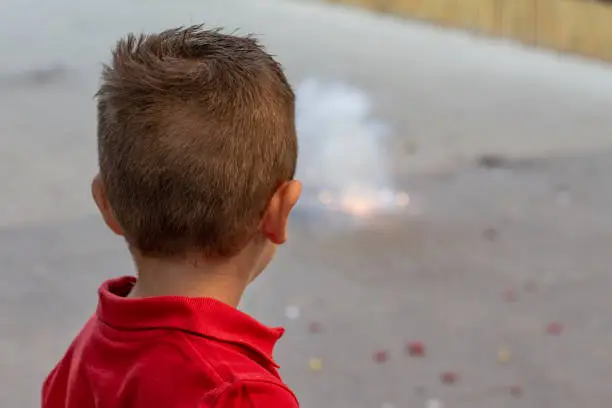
(202, 316)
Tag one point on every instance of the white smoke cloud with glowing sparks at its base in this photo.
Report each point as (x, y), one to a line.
(342, 161)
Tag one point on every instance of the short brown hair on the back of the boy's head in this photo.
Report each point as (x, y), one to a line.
(196, 130)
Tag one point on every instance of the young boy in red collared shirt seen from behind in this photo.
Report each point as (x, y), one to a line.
(197, 152)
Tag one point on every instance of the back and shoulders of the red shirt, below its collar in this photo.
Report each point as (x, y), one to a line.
(170, 368)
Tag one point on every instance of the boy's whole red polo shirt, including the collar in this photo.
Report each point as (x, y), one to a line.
(167, 352)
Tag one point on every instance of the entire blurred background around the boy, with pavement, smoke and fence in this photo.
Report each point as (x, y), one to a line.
(452, 246)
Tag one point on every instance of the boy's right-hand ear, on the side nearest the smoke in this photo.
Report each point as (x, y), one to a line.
(276, 219)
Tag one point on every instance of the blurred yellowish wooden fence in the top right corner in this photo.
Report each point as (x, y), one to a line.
(574, 26)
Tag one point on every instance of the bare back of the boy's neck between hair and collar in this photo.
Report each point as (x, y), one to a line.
(220, 281)
